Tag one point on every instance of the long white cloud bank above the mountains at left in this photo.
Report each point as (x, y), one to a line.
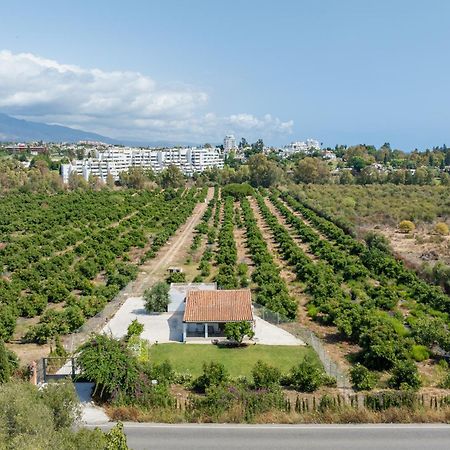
(117, 103)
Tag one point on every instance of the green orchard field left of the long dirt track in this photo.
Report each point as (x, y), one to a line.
(63, 257)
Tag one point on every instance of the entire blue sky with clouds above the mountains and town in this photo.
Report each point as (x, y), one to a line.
(342, 72)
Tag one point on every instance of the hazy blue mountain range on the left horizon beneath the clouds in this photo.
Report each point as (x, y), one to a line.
(19, 130)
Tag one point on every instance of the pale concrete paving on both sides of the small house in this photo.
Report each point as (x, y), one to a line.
(167, 327)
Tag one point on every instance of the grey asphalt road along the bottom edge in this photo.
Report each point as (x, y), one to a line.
(274, 437)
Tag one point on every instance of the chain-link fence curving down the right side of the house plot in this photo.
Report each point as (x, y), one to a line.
(331, 367)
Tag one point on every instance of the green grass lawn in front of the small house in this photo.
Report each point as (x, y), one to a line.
(238, 361)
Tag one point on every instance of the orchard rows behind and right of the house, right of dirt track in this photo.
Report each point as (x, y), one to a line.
(370, 310)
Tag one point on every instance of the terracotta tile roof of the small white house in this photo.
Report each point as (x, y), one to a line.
(218, 306)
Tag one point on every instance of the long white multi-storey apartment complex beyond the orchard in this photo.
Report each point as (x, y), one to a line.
(114, 160)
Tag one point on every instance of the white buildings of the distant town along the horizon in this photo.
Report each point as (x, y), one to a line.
(98, 159)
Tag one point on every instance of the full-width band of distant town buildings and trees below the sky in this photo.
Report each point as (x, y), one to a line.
(307, 161)
